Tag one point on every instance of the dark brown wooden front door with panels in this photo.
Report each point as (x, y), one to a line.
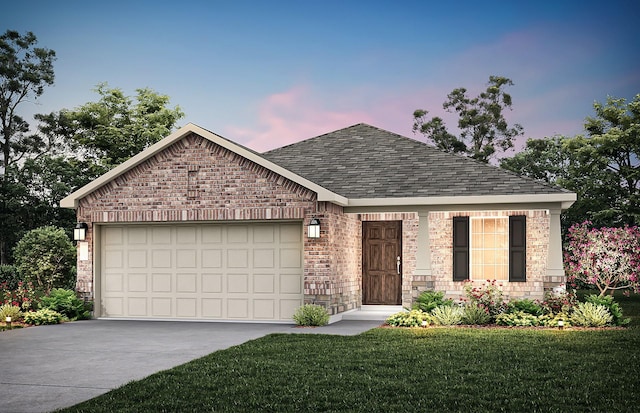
(381, 262)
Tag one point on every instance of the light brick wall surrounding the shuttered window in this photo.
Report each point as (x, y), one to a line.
(441, 236)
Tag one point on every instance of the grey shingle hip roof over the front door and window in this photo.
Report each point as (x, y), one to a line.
(363, 161)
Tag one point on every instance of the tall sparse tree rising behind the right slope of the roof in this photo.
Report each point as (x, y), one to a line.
(482, 125)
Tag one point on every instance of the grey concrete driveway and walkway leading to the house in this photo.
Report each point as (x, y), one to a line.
(49, 367)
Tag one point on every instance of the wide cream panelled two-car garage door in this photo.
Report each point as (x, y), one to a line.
(205, 271)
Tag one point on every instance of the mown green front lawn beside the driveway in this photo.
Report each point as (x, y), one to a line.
(390, 370)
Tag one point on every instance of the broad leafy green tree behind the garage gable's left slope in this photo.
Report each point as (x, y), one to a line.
(115, 128)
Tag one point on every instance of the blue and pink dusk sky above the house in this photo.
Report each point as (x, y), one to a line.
(269, 73)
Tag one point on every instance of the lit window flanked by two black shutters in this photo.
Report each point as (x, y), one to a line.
(490, 248)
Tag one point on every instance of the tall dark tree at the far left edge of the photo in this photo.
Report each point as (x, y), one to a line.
(25, 70)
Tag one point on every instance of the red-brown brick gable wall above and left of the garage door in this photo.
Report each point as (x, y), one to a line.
(192, 180)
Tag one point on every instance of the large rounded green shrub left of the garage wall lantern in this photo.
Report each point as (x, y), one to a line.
(46, 257)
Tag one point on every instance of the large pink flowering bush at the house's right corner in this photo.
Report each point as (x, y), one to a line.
(607, 258)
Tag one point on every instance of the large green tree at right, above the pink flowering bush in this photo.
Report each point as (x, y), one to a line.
(602, 168)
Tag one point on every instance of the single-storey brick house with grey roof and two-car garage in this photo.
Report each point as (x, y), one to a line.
(199, 227)
